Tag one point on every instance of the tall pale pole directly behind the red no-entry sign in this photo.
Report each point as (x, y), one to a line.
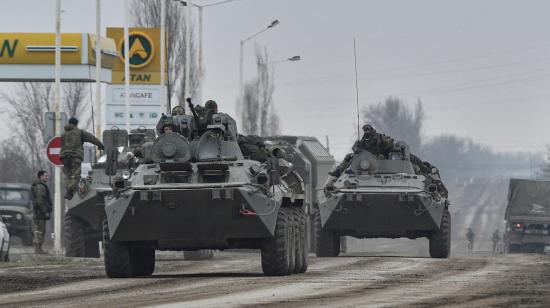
(57, 100)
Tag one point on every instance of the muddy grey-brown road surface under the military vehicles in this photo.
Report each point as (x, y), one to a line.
(234, 279)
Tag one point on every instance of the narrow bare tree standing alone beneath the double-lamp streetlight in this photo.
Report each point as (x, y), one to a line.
(258, 114)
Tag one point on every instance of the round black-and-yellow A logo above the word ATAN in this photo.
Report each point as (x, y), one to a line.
(141, 49)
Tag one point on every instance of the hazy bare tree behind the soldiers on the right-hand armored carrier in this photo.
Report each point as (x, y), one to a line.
(394, 117)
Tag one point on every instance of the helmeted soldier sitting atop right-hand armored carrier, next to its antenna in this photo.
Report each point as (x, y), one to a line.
(376, 143)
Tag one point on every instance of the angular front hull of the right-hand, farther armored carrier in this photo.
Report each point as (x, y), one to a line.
(383, 206)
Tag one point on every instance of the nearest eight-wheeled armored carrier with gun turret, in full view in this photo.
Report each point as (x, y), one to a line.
(195, 190)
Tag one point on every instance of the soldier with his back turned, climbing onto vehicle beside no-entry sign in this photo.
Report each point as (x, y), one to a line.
(72, 153)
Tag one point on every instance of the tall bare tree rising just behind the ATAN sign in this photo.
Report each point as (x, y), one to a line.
(146, 13)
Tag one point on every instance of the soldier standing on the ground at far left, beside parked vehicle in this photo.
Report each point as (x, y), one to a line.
(42, 208)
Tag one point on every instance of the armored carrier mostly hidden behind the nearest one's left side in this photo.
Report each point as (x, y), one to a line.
(83, 223)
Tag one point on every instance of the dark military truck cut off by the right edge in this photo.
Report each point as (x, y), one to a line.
(527, 216)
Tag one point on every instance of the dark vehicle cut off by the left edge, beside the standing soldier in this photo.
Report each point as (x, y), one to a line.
(16, 210)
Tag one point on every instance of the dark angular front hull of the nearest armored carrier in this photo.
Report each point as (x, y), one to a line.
(195, 216)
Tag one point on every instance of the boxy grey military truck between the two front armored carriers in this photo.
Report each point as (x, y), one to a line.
(312, 161)
